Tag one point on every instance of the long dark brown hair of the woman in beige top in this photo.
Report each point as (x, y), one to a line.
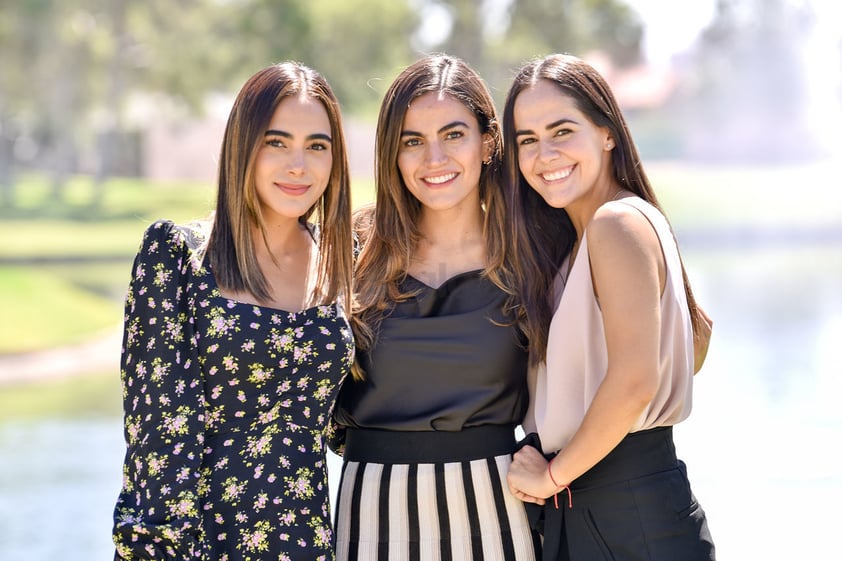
(541, 235)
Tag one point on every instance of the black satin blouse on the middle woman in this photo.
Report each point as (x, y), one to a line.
(441, 363)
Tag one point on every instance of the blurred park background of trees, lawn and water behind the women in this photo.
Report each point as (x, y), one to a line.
(111, 116)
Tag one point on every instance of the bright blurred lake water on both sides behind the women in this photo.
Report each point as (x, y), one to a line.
(761, 444)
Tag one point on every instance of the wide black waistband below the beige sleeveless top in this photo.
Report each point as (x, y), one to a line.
(638, 454)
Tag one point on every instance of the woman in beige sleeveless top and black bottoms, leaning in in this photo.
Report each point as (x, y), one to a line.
(618, 349)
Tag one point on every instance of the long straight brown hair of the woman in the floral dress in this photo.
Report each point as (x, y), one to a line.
(230, 250)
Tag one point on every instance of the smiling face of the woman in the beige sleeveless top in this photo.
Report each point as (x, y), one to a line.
(561, 153)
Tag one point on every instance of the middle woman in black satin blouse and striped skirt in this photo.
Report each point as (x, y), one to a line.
(430, 420)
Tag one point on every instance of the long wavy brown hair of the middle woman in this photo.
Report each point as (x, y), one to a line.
(391, 234)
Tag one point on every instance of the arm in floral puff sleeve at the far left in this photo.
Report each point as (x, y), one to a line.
(157, 513)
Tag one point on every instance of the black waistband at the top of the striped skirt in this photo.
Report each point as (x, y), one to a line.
(424, 447)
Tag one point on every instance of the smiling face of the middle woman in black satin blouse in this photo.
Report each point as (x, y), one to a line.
(441, 152)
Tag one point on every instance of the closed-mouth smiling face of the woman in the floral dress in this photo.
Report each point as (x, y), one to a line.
(294, 161)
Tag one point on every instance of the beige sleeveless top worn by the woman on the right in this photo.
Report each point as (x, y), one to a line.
(564, 386)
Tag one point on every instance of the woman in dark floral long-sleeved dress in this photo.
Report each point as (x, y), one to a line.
(236, 342)
